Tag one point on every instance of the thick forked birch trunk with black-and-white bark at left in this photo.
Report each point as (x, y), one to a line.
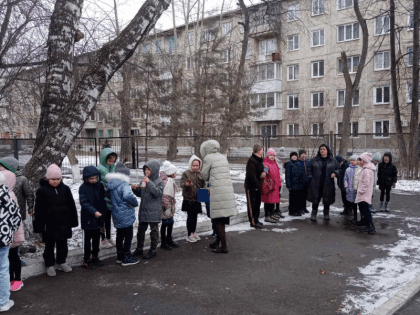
(65, 110)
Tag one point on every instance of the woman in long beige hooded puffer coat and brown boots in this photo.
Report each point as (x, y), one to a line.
(222, 197)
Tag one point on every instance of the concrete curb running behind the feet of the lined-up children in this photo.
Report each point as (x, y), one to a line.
(35, 266)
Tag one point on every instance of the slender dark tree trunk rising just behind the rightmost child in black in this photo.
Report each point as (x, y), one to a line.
(395, 102)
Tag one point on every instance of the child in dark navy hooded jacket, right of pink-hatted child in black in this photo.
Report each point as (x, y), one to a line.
(92, 200)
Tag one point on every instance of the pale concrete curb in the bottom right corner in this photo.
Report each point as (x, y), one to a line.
(400, 299)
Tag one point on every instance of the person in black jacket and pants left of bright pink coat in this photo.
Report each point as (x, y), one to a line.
(253, 184)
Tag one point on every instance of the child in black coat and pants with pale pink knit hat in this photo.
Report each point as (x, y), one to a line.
(55, 216)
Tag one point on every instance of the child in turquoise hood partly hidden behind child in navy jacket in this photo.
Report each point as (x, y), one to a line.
(108, 159)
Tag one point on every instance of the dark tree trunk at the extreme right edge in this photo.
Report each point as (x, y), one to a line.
(414, 122)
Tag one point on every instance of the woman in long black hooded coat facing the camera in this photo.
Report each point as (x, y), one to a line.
(322, 170)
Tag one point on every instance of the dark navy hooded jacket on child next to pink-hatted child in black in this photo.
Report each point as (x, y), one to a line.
(92, 199)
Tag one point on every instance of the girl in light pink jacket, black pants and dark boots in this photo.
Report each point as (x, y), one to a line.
(365, 189)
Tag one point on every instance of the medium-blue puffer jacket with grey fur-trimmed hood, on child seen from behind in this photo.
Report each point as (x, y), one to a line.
(122, 198)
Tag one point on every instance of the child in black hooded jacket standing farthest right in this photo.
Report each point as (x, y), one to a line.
(387, 178)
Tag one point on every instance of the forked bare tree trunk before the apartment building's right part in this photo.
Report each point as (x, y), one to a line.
(351, 87)
